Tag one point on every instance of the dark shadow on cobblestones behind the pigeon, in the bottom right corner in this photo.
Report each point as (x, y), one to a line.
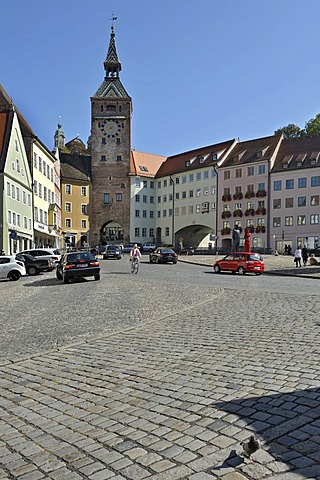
(288, 425)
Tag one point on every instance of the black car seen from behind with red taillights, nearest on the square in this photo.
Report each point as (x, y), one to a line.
(78, 265)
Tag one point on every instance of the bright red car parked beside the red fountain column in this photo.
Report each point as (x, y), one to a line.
(240, 262)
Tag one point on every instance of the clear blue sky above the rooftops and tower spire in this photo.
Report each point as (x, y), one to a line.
(198, 73)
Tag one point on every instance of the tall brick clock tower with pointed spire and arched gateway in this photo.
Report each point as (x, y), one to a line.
(111, 109)
